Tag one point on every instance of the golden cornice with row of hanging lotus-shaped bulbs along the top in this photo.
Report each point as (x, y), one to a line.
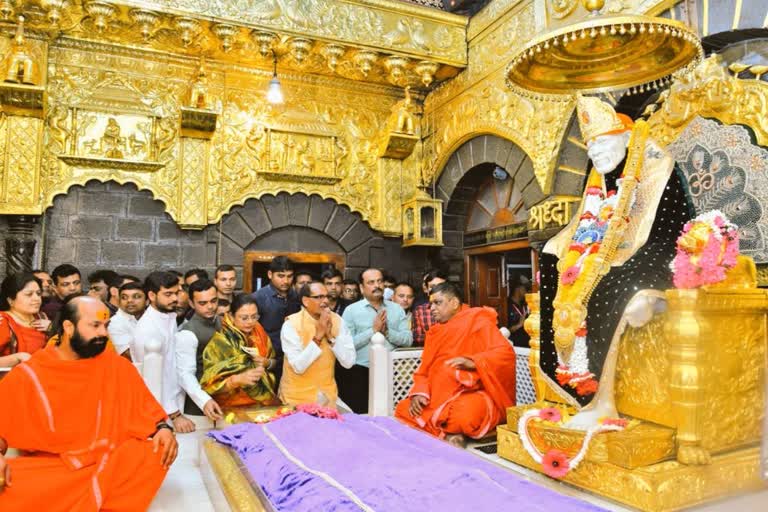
(377, 41)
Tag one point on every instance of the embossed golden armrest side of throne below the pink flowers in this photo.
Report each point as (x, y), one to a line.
(720, 400)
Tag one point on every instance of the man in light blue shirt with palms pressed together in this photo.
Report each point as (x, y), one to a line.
(364, 318)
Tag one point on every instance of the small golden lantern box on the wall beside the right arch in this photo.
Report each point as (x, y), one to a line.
(422, 221)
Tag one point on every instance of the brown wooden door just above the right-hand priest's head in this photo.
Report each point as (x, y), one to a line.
(487, 286)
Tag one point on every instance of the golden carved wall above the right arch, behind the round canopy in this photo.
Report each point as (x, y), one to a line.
(478, 101)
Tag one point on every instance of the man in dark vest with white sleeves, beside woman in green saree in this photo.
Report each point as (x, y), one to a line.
(191, 340)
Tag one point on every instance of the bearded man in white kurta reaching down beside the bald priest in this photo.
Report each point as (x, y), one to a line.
(157, 327)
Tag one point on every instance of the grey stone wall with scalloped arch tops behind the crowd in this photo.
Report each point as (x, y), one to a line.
(107, 225)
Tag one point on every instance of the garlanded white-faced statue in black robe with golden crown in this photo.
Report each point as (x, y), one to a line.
(608, 268)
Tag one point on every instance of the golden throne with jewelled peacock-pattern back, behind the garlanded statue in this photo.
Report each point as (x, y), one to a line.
(694, 377)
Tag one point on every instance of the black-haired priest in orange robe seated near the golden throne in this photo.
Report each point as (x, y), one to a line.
(466, 379)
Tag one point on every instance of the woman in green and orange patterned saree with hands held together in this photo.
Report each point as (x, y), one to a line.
(239, 361)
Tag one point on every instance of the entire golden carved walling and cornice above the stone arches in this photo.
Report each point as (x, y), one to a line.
(116, 79)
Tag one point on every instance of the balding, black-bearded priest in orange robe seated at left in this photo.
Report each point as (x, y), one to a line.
(91, 435)
